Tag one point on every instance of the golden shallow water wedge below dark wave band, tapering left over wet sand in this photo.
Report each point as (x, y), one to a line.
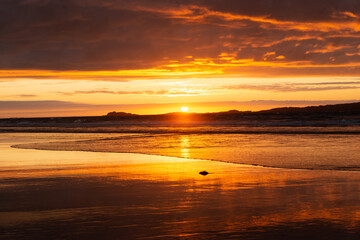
(297, 151)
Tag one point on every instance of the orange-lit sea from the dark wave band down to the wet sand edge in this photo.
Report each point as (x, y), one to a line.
(321, 148)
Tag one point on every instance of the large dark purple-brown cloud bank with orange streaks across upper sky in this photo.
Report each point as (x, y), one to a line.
(141, 34)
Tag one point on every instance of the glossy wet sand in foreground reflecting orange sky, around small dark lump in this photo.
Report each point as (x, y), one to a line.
(87, 195)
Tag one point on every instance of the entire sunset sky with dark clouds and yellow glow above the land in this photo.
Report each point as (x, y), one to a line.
(89, 57)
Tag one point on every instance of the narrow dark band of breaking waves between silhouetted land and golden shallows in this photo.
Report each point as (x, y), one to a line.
(200, 128)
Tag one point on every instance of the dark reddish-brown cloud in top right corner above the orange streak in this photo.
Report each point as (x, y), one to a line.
(285, 10)
